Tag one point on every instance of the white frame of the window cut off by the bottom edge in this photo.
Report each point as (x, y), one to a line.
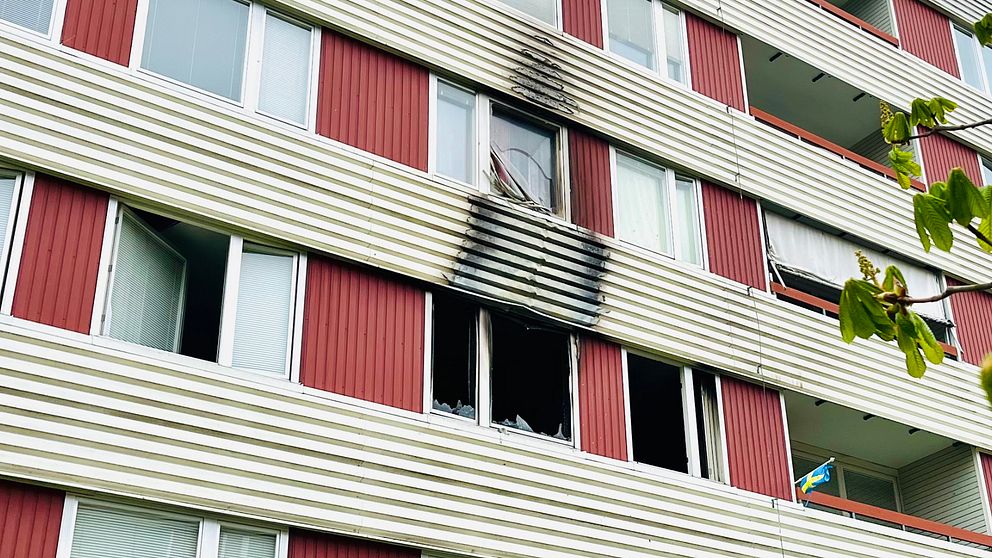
(208, 539)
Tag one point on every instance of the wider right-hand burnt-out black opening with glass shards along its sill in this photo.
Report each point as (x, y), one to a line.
(530, 378)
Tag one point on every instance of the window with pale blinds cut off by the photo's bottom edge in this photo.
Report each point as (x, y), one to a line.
(109, 530)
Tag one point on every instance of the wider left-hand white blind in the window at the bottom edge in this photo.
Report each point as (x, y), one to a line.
(113, 533)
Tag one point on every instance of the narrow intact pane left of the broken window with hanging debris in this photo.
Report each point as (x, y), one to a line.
(455, 132)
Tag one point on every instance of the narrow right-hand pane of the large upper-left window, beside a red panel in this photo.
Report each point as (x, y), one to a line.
(285, 81)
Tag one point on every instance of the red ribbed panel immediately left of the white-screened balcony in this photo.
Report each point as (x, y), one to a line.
(733, 236)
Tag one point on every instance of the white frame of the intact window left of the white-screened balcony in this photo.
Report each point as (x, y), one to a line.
(673, 227)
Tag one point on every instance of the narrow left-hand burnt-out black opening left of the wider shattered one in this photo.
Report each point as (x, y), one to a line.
(454, 356)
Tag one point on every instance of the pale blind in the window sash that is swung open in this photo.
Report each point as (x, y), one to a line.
(148, 287)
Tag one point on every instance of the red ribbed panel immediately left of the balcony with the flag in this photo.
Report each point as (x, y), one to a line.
(756, 446)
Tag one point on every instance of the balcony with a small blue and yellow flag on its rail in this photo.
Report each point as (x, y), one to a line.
(888, 473)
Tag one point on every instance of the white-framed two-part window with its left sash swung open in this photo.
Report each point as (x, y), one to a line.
(181, 288)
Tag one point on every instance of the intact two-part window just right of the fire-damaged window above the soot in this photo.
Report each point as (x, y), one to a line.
(658, 209)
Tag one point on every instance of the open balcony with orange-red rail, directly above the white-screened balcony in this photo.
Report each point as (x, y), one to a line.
(817, 108)
